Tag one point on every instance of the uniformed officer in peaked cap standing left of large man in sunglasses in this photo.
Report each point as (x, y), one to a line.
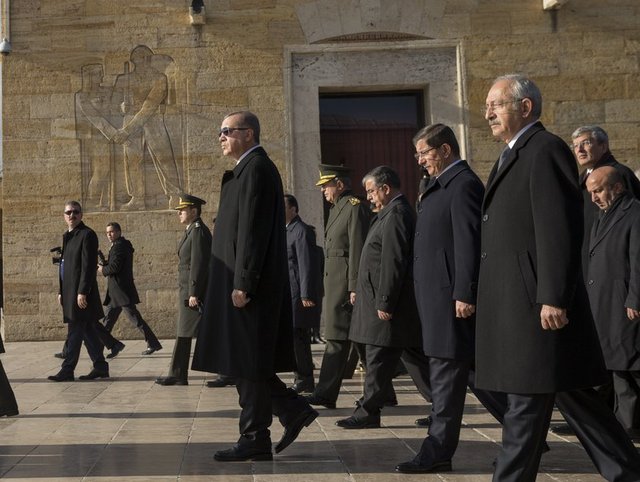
(193, 261)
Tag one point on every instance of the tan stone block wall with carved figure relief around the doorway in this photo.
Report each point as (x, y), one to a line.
(75, 71)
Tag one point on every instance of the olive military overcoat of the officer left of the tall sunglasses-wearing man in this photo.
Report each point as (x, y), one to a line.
(193, 274)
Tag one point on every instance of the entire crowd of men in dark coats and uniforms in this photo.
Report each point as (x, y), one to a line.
(526, 291)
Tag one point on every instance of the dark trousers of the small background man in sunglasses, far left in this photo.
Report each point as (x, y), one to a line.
(77, 332)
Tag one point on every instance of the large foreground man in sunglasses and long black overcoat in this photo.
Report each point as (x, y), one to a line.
(247, 327)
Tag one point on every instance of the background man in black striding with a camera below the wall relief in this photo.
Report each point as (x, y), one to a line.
(121, 289)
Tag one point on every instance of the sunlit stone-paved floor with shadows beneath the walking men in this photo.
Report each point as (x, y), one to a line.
(129, 429)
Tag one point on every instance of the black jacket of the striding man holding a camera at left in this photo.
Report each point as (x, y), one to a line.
(121, 290)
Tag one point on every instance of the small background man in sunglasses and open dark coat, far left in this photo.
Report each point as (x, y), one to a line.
(79, 296)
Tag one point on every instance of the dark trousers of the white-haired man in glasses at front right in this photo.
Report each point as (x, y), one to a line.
(603, 438)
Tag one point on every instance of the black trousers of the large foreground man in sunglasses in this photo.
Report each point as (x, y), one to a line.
(260, 400)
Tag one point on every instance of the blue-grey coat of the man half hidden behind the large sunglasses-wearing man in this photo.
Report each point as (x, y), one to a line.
(305, 275)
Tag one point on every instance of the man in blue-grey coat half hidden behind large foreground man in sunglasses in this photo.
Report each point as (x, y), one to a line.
(306, 290)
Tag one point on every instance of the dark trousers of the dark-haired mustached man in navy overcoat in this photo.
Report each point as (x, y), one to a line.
(449, 380)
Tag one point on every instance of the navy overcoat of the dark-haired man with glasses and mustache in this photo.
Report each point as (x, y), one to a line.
(446, 260)
